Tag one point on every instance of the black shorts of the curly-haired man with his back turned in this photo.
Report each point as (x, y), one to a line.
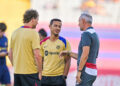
(26, 80)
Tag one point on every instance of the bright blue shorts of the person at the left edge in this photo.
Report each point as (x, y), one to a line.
(4, 75)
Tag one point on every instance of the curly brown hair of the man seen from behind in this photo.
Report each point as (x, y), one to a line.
(29, 14)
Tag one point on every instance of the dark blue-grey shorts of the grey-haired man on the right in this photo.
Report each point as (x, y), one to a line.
(87, 80)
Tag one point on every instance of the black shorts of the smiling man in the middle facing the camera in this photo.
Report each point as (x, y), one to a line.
(53, 81)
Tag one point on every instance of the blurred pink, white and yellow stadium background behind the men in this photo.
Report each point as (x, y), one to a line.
(106, 14)
